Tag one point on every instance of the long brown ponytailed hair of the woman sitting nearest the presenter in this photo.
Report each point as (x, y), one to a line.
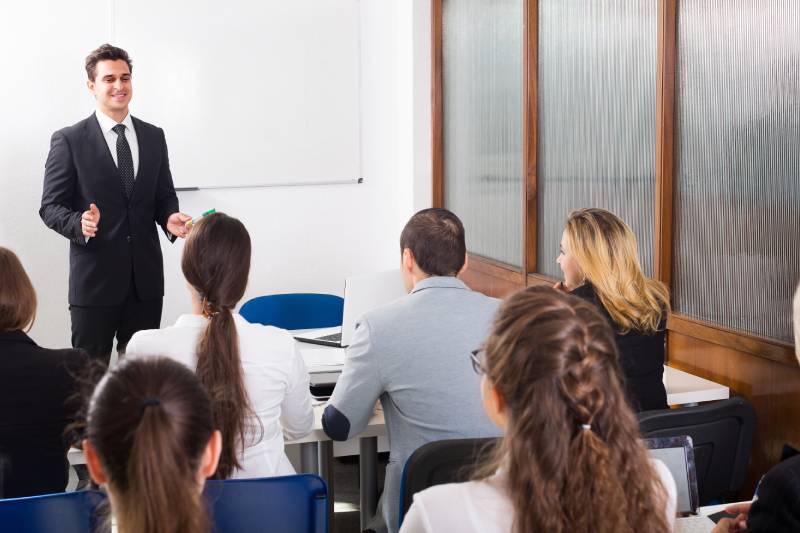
(216, 262)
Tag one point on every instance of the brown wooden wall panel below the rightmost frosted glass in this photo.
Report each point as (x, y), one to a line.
(772, 387)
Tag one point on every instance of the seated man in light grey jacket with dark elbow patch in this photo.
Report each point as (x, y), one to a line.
(410, 355)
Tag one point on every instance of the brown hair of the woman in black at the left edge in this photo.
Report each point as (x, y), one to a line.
(17, 296)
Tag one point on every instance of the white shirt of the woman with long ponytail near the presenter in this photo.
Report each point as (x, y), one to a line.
(276, 380)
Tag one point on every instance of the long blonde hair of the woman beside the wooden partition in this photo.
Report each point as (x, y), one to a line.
(605, 249)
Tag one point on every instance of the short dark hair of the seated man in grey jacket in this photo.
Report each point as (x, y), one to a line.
(436, 238)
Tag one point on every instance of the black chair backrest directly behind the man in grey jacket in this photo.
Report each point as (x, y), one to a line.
(439, 462)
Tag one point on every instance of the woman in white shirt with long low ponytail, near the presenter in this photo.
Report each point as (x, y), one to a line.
(254, 374)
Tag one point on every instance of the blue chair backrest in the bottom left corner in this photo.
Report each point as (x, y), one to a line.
(66, 512)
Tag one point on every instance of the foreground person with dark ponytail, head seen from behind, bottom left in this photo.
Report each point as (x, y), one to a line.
(150, 440)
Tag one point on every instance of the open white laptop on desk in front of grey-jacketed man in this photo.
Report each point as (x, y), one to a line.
(361, 294)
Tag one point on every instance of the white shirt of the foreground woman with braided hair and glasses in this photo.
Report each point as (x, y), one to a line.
(485, 506)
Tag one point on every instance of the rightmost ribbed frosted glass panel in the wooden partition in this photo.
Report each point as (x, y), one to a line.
(737, 190)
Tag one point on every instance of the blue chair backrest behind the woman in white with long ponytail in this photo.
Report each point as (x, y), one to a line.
(286, 504)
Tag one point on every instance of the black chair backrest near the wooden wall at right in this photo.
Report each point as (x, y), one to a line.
(722, 433)
